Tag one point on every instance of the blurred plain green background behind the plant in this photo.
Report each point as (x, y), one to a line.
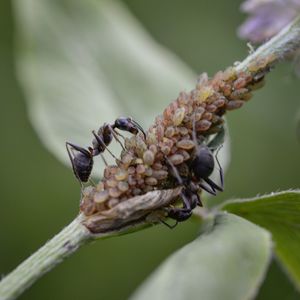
(39, 195)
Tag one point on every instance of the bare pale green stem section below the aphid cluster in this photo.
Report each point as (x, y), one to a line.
(46, 258)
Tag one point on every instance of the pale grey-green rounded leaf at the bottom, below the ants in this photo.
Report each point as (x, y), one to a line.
(227, 262)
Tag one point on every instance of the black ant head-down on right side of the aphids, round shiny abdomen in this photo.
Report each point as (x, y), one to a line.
(201, 167)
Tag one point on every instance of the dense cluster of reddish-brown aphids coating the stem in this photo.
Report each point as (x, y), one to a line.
(142, 166)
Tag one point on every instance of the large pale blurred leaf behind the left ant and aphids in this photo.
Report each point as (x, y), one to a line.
(85, 62)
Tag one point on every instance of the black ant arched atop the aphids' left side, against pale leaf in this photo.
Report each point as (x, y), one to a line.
(82, 160)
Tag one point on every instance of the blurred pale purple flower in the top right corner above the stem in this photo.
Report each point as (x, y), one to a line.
(267, 17)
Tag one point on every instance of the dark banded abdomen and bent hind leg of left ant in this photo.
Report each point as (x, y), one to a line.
(82, 161)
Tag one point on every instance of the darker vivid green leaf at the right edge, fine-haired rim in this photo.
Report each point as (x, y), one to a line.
(280, 214)
